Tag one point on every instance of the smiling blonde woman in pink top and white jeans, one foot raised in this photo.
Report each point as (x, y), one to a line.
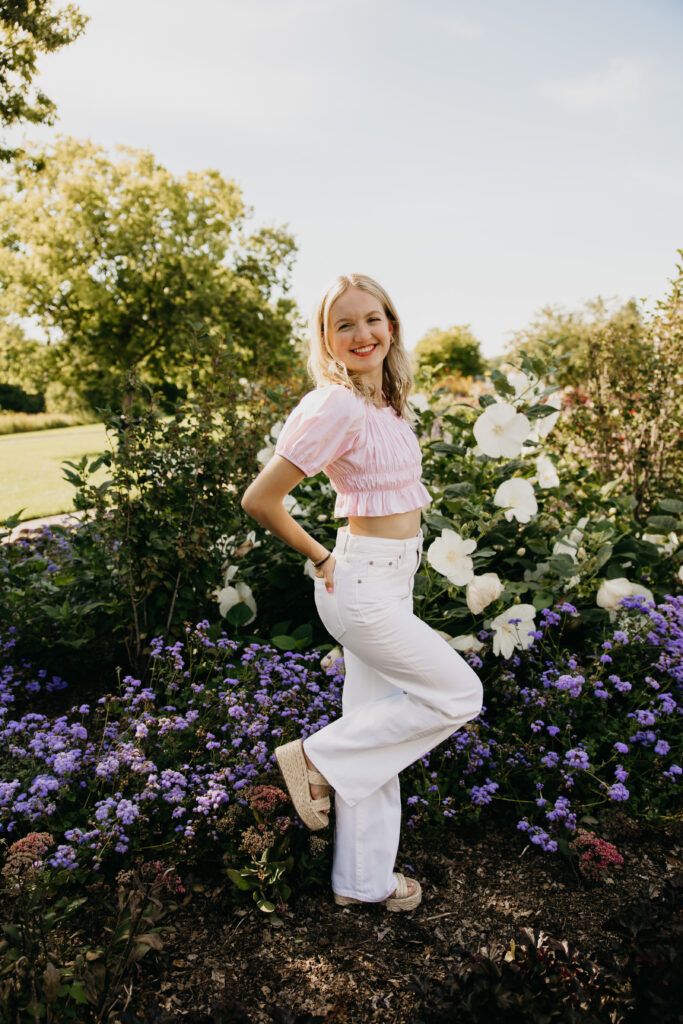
(406, 690)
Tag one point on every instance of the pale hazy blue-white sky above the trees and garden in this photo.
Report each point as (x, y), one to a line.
(481, 160)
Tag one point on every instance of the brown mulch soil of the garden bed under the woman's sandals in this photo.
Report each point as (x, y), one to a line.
(227, 962)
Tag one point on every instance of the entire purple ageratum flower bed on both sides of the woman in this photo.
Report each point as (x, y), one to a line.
(160, 763)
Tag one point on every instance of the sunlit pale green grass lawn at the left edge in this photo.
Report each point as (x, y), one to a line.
(31, 473)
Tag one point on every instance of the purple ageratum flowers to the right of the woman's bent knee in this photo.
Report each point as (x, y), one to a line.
(564, 734)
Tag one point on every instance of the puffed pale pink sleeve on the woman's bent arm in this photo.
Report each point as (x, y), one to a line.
(323, 428)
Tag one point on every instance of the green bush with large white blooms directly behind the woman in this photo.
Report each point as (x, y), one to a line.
(510, 532)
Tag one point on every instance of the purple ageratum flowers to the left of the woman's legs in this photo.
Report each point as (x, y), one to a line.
(158, 762)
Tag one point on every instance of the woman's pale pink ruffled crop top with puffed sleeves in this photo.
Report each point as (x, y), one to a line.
(371, 455)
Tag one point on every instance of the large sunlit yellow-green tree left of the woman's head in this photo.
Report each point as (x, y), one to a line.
(116, 260)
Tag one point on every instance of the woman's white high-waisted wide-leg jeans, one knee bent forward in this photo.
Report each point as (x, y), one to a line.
(406, 691)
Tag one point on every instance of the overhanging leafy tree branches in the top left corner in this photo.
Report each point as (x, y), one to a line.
(27, 29)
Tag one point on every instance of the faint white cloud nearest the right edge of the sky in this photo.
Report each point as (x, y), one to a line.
(623, 81)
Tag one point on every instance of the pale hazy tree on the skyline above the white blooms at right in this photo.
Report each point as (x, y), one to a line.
(571, 333)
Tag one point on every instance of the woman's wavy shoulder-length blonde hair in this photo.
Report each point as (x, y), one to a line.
(326, 369)
